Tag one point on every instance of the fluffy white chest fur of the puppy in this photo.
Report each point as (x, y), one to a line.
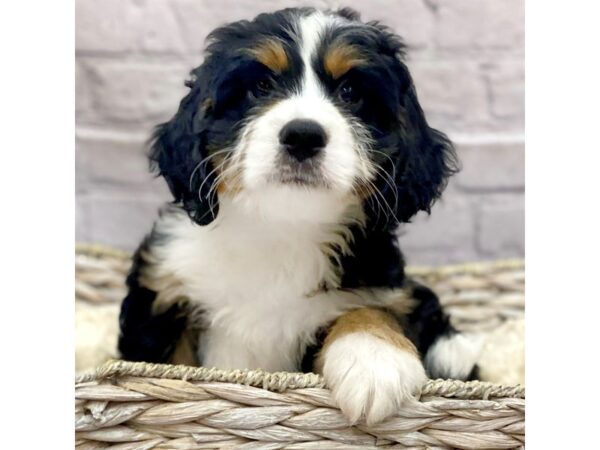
(257, 284)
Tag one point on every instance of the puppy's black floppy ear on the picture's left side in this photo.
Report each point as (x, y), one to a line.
(178, 153)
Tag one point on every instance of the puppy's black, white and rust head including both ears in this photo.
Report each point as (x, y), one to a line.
(296, 115)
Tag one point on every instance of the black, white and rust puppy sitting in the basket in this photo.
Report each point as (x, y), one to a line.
(297, 152)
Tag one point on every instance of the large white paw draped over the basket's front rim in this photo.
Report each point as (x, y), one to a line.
(369, 377)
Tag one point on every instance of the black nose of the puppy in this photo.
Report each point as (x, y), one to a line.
(302, 138)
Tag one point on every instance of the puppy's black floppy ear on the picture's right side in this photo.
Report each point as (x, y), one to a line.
(423, 160)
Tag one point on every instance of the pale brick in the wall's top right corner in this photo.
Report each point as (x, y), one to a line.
(480, 24)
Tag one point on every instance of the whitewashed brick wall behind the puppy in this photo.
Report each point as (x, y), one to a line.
(466, 56)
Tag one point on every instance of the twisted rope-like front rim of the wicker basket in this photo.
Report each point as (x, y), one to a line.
(283, 381)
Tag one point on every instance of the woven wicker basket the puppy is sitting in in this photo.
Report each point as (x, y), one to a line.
(122, 405)
